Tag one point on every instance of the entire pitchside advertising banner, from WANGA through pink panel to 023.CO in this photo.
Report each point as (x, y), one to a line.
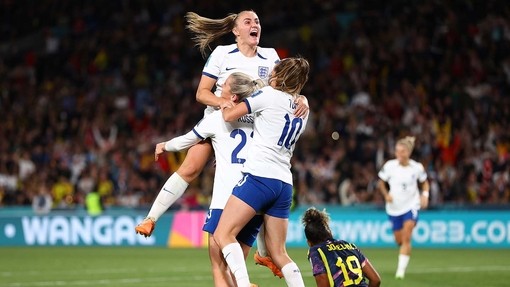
(365, 227)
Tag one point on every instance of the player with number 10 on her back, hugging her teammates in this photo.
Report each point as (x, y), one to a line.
(267, 179)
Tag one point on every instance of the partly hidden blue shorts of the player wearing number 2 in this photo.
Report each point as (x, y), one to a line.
(247, 235)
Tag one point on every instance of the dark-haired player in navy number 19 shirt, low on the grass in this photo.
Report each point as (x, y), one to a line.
(335, 262)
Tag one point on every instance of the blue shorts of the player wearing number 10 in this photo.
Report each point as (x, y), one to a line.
(266, 195)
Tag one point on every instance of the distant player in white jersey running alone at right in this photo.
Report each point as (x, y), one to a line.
(403, 200)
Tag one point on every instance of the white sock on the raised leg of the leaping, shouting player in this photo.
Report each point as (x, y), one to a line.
(172, 190)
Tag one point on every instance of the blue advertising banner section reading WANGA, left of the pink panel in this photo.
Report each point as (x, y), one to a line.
(64, 230)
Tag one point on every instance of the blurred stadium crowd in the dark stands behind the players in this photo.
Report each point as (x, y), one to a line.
(87, 88)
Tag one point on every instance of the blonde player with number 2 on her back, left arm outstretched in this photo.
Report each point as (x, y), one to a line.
(230, 141)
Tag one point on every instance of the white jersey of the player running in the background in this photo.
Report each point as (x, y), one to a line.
(403, 182)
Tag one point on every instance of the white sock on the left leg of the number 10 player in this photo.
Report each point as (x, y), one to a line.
(233, 254)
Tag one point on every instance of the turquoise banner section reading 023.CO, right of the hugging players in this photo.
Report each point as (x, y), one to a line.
(449, 229)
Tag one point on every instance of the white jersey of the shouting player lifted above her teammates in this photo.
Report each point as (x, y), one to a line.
(225, 60)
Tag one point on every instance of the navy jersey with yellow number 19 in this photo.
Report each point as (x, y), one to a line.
(340, 260)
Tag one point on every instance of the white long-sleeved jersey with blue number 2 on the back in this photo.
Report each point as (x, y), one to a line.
(230, 141)
